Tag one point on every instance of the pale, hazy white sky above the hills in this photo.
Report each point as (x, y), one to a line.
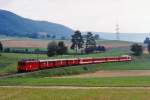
(133, 16)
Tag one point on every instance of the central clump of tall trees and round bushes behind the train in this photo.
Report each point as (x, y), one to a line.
(84, 43)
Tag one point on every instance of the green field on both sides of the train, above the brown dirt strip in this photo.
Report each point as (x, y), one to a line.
(8, 63)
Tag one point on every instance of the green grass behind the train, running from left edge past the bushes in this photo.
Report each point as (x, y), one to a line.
(8, 61)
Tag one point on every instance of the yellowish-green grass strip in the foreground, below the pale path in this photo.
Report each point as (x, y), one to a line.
(73, 94)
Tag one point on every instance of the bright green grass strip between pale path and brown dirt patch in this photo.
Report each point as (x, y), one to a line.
(103, 82)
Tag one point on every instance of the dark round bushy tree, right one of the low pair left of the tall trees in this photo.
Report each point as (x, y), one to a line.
(62, 49)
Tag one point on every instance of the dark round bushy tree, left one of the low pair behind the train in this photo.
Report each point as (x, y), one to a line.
(52, 48)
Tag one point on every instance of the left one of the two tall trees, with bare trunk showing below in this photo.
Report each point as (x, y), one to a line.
(77, 41)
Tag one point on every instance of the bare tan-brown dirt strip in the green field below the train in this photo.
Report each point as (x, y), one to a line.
(121, 73)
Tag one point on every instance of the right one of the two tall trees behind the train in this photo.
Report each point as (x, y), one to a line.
(90, 40)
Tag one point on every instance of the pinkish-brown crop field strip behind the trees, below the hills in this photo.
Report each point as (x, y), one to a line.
(31, 43)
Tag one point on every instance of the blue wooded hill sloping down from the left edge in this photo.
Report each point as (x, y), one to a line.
(14, 25)
